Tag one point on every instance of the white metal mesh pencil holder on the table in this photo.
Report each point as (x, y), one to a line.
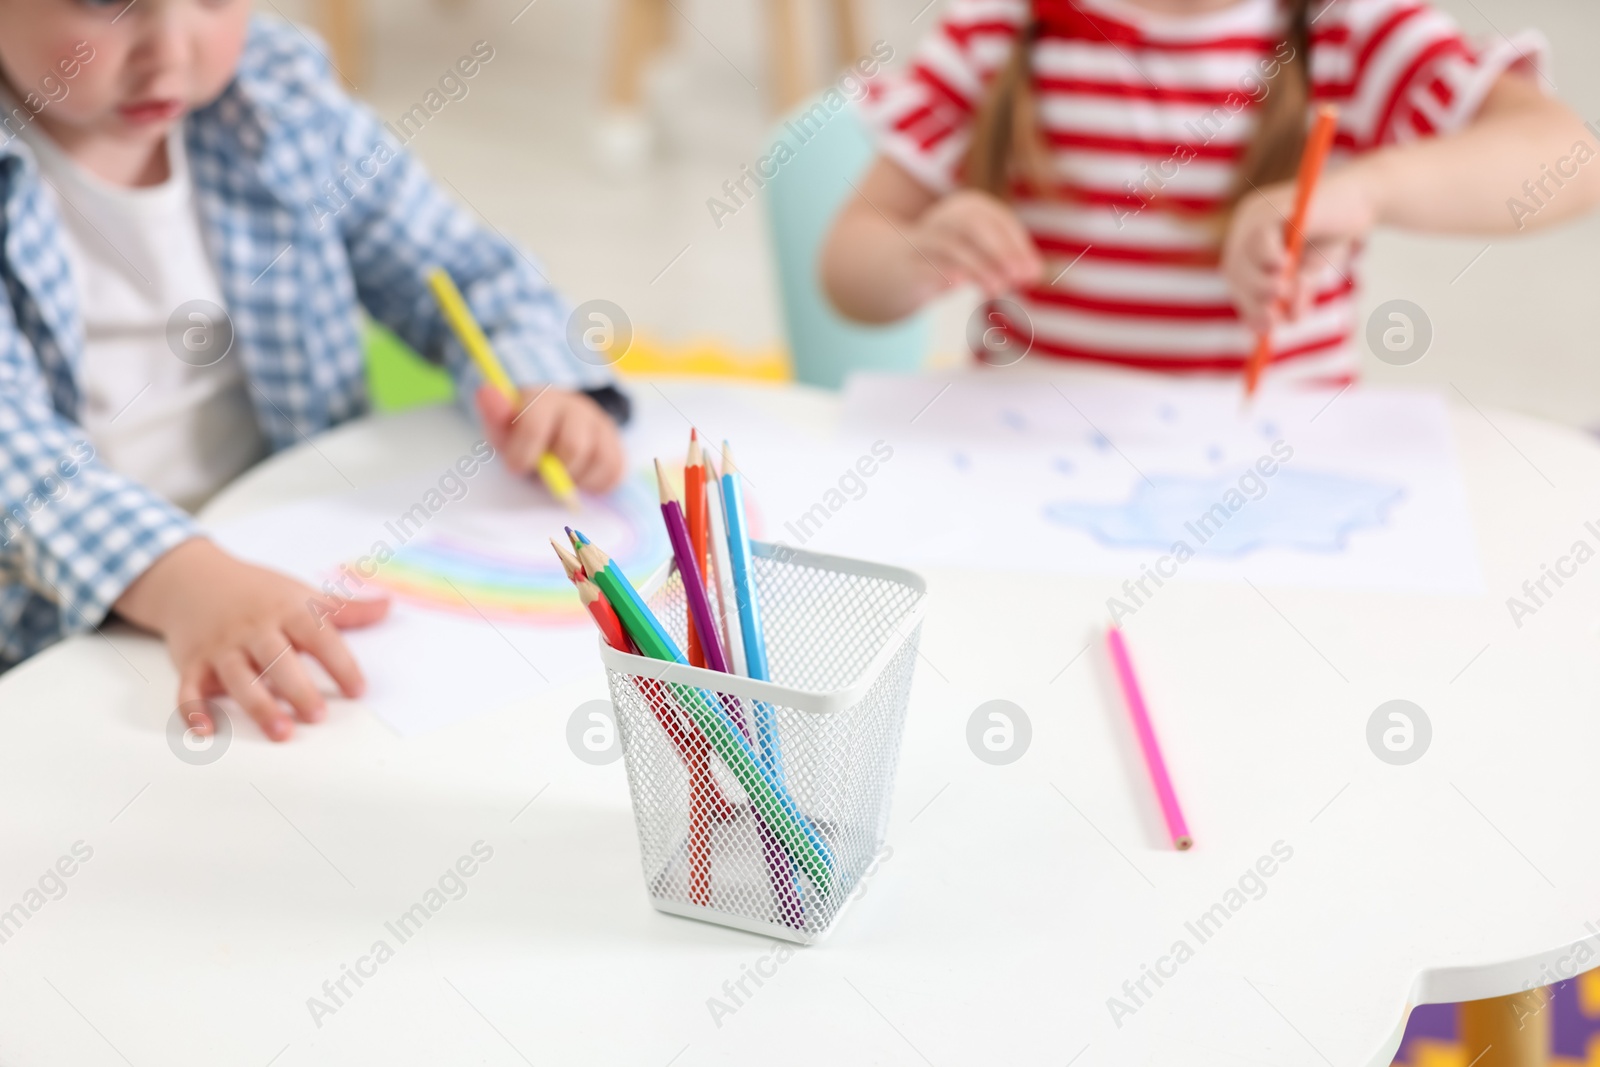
(761, 804)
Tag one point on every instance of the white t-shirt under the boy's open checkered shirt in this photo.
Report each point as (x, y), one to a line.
(180, 425)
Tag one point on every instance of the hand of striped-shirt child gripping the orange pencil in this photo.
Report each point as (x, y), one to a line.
(1255, 257)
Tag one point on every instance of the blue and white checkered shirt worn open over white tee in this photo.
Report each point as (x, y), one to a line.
(311, 212)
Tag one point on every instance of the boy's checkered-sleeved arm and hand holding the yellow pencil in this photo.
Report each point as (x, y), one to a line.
(398, 228)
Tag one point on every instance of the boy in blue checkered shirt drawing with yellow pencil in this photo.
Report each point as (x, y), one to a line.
(194, 217)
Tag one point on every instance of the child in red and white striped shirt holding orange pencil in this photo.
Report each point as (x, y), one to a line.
(1124, 170)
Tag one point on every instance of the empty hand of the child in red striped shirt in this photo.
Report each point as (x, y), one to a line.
(969, 236)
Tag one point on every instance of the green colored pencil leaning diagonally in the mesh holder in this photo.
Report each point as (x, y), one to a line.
(782, 825)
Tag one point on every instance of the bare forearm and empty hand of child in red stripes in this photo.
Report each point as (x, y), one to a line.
(897, 246)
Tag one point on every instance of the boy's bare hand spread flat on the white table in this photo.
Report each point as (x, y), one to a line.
(236, 629)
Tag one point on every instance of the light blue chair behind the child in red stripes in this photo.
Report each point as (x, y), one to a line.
(802, 201)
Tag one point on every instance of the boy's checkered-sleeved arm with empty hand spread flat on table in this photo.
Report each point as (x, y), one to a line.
(78, 541)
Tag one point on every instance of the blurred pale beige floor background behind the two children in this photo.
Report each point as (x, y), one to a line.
(1516, 321)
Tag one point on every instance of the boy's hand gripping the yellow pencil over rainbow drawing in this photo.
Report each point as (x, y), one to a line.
(559, 422)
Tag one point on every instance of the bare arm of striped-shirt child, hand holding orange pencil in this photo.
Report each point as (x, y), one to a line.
(1462, 183)
